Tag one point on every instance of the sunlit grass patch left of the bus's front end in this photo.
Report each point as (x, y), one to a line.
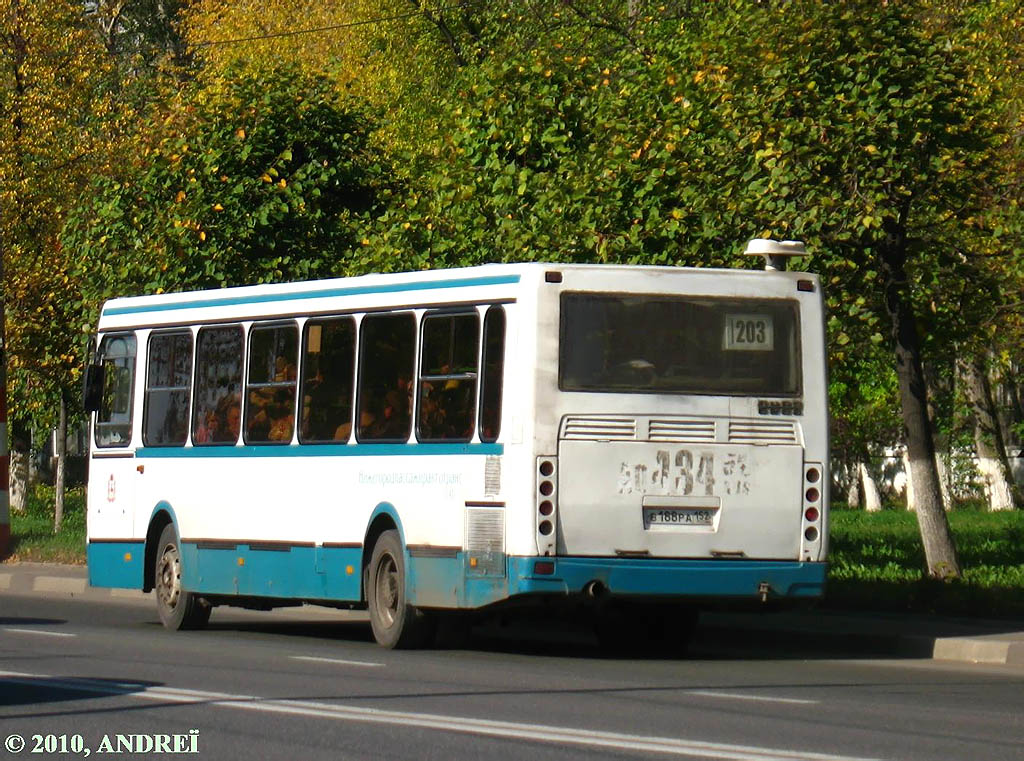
(33, 539)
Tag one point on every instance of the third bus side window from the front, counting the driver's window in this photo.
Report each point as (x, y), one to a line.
(218, 409)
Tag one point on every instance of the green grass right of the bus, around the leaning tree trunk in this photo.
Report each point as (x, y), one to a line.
(877, 563)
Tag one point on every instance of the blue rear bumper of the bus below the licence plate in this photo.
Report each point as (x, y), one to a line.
(668, 578)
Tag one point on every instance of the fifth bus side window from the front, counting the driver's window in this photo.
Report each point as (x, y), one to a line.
(328, 373)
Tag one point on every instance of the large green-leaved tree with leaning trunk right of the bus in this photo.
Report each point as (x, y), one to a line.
(852, 126)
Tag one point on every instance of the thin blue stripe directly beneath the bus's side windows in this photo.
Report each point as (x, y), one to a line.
(322, 450)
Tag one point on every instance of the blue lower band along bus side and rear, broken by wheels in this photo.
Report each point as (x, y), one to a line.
(334, 574)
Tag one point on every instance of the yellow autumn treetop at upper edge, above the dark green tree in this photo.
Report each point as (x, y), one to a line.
(398, 55)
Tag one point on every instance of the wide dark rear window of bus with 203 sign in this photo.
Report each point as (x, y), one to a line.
(638, 344)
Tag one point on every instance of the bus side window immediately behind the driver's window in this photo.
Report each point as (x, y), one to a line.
(168, 383)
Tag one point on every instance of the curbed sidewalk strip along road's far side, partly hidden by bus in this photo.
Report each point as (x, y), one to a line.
(810, 632)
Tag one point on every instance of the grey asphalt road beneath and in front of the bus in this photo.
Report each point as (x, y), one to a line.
(304, 686)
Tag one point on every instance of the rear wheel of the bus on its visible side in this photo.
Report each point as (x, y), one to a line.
(396, 623)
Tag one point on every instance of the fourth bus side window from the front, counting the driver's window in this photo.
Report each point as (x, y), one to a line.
(273, 377)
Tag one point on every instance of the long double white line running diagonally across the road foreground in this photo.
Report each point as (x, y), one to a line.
(494, 729)
